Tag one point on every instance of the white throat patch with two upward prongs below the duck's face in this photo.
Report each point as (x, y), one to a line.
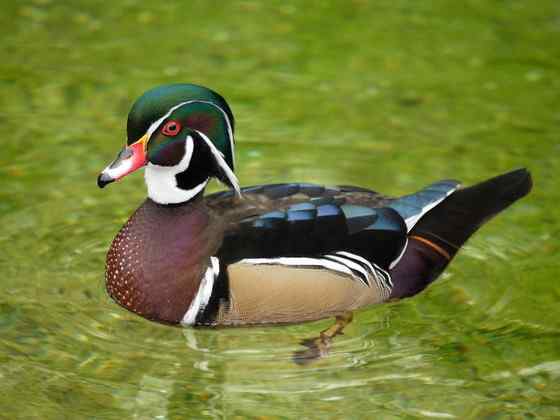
(162, 182)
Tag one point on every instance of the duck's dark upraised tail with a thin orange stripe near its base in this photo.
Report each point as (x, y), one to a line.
(440, 233)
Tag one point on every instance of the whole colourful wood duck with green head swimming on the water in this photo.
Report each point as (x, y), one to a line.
(280, 253)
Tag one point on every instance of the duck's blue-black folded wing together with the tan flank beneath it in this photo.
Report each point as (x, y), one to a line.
(296, 252)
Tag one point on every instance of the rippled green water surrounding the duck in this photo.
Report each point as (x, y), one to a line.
(387, 94)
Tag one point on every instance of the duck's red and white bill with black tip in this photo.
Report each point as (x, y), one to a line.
(128, 160)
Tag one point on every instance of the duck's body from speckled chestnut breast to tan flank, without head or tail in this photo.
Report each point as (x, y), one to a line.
(267, 256)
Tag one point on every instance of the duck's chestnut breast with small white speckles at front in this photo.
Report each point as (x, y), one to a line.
(157, 260)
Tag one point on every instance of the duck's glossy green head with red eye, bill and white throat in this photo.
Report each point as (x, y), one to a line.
(183, 135)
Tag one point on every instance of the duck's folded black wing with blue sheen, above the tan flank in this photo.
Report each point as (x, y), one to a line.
(317, 225)
